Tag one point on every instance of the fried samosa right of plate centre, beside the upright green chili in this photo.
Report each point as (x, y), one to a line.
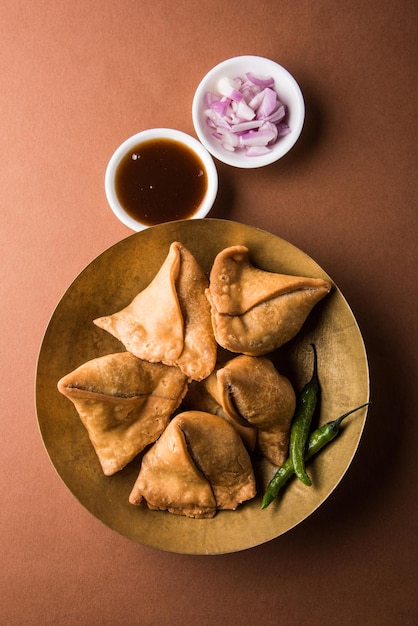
(253, 396)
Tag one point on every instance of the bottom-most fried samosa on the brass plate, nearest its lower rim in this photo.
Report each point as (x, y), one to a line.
(198, 466)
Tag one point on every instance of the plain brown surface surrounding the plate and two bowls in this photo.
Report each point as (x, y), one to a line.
(77, 78)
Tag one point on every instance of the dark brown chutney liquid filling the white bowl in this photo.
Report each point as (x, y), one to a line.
(160, 180)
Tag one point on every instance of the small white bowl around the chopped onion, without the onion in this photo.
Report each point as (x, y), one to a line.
(287, 89)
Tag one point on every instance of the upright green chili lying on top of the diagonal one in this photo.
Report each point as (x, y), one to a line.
(301, 423)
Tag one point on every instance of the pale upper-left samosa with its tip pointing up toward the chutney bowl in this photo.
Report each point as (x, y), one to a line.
(169, 321)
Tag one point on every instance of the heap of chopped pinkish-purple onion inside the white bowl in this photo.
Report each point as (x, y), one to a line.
(246, 114)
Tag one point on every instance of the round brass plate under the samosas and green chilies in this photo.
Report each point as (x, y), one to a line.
(109, 283)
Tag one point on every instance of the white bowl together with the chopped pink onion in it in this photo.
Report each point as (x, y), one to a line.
(248, 111)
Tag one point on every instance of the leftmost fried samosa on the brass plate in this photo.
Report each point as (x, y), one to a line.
(124, 403)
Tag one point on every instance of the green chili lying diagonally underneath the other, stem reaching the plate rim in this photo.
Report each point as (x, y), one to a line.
(318, 439)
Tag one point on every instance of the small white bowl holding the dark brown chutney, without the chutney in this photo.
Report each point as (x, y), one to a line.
(151, 134)
